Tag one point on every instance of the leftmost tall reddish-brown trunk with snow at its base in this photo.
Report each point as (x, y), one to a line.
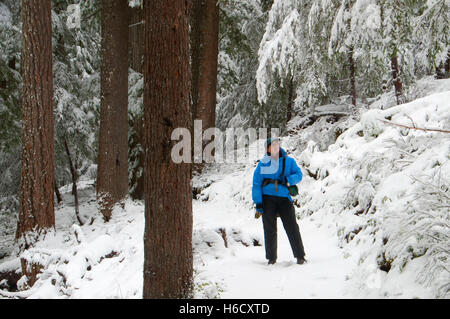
(36, 214)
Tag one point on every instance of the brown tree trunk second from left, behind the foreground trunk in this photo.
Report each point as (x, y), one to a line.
(112, 176)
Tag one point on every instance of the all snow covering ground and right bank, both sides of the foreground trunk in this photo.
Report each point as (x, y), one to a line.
(373, 212)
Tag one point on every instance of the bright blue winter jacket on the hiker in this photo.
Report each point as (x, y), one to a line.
(270, 168)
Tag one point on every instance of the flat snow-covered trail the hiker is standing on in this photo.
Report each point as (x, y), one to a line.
(242, 272)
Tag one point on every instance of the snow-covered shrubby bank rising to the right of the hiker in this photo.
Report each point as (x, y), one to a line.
(387, 195)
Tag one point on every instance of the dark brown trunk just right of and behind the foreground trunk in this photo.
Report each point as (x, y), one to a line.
(204, 37)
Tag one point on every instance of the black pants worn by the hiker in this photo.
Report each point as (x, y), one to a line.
(273, 205)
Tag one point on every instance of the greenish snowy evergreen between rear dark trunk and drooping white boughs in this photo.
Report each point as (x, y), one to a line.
(240, 31)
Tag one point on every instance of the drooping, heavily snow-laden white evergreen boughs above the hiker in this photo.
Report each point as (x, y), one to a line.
(289, 52)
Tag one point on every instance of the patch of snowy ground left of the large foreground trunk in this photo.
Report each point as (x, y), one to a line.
(96, 260)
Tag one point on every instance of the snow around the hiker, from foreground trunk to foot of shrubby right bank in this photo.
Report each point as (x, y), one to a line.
(229, 245)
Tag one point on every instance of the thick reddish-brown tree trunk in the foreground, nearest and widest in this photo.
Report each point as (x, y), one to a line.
(168, 264)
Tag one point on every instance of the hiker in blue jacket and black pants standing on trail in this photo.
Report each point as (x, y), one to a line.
(271, 196)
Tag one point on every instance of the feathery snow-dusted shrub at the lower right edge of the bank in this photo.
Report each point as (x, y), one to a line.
(425, 231)
